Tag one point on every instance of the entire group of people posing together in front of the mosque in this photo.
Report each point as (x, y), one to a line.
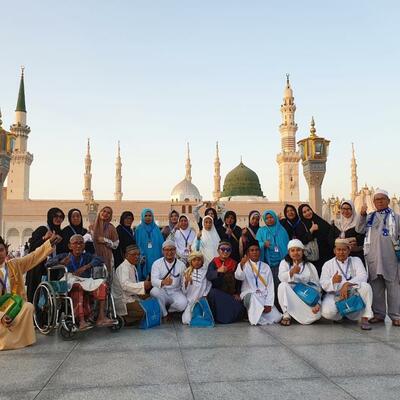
(297, 266)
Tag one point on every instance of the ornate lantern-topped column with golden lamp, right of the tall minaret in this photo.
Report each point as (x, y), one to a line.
(314, 154)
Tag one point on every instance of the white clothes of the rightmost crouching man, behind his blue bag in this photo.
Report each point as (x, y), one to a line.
(353, 271)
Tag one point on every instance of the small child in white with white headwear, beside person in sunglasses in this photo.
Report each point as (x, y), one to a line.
(195, 284)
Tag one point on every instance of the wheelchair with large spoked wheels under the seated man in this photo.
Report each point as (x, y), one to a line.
(54, 309)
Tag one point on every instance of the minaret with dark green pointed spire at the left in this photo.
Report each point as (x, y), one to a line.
(21, 159)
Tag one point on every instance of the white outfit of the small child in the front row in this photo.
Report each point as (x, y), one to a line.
(199, 288)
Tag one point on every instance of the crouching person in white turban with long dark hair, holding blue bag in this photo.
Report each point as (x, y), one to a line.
(299, 291)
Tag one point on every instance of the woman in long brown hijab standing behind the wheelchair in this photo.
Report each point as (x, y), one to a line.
(105, 237)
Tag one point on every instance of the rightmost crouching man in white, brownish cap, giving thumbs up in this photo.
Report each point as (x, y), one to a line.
(342, 277)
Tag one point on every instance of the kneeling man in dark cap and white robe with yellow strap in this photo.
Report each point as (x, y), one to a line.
(257, 288)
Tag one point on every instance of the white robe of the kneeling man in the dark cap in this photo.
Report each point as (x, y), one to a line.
(260, 295)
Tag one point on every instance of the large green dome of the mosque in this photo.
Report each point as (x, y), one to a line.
(241, 181)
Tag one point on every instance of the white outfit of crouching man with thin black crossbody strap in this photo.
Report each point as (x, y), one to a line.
(170, 295)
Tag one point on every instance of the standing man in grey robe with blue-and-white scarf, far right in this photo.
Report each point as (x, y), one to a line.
(382, 230)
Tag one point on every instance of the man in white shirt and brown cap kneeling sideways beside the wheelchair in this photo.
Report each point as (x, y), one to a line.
(132, 289)
